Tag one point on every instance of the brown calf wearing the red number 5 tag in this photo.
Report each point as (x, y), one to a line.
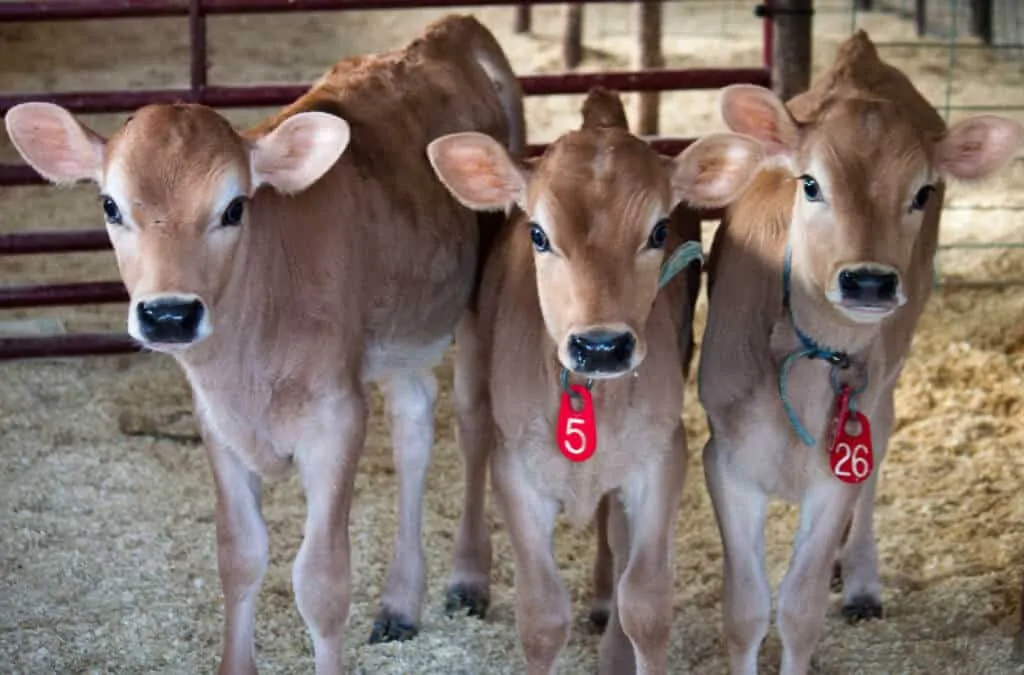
(572, 291)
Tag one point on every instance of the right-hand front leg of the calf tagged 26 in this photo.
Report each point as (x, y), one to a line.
(803, 596)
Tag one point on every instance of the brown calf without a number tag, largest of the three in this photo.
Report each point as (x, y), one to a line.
(282, 304)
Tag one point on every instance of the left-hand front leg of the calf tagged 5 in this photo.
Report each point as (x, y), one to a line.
(543, 610)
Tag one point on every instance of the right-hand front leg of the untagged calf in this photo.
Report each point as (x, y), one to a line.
(329, 453)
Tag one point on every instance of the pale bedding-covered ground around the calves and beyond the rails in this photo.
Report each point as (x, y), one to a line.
(107, 537)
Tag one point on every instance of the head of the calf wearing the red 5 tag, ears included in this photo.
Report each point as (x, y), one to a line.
(596, 210)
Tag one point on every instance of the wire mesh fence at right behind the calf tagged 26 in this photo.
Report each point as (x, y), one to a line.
(966, 57)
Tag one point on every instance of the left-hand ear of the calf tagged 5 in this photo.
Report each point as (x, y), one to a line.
(478, 171)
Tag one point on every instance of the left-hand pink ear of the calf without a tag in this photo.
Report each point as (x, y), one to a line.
(55, 144)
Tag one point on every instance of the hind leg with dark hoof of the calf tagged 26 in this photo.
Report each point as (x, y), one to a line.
(862, 585)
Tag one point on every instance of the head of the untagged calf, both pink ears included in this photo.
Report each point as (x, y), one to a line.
(176, 184)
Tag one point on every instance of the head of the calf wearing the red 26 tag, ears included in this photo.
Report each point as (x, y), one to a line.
(869, 155)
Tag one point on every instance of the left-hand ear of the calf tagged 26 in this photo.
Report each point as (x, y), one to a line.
(759, 113)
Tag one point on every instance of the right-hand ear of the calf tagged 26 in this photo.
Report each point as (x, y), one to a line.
(978, 147)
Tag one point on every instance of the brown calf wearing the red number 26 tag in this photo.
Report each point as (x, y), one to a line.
(817, 280)
